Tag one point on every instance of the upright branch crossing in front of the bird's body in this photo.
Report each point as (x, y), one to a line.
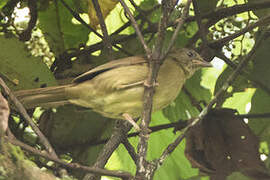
(142, 170)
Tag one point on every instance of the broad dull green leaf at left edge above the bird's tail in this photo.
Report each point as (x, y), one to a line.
(21, 70)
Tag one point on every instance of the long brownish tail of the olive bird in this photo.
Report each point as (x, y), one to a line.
(44, 97)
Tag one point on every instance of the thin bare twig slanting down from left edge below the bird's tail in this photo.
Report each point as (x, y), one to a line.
(23, 112)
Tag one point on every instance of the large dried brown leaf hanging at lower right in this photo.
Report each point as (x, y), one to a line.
(222, 143)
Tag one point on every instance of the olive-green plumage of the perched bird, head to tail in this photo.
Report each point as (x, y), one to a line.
(117, 87)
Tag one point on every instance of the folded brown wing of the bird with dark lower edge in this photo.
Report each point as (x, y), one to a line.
(108, 66)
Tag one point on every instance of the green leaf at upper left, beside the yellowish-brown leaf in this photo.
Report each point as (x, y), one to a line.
(60, 28)
